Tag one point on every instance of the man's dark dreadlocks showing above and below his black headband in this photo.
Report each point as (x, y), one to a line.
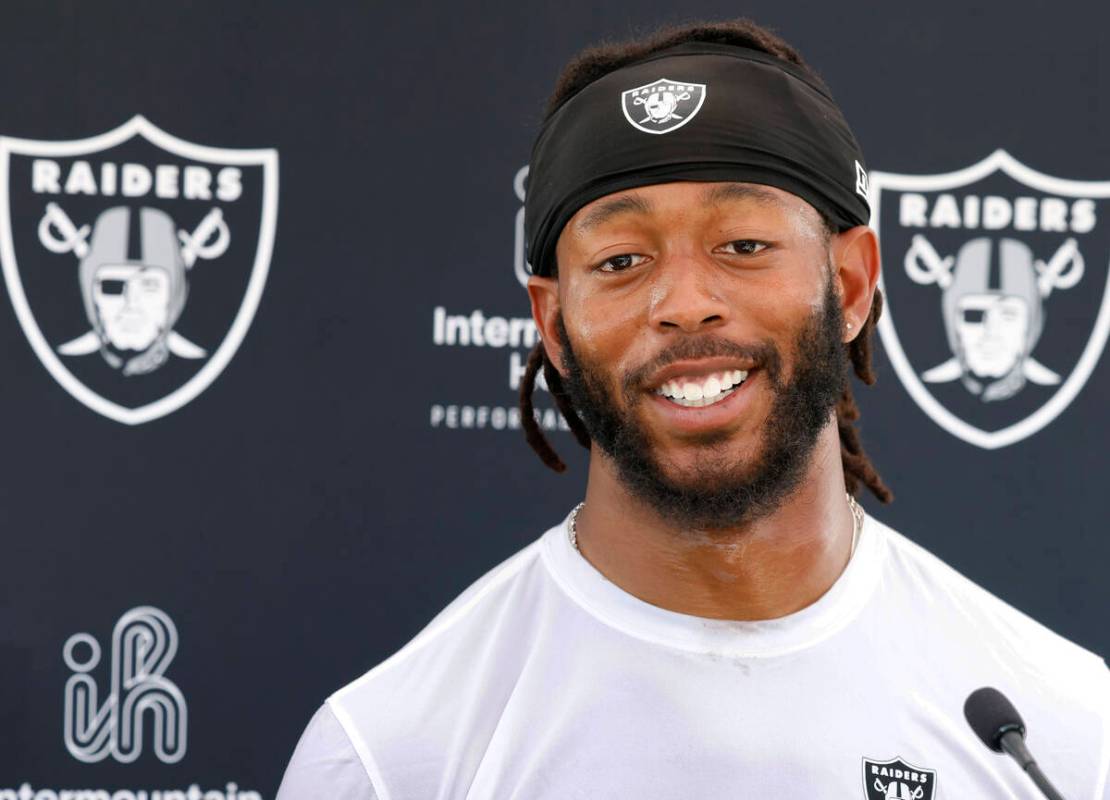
(587, 68)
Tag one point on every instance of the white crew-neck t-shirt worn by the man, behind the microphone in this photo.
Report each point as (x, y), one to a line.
(547, 682)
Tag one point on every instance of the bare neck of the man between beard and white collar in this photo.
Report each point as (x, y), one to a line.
(768, 569)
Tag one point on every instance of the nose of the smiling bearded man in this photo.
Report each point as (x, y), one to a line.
(688, 298)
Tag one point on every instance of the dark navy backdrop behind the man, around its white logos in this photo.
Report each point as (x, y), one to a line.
(305, 515)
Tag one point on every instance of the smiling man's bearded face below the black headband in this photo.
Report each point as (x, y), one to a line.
(671, 295)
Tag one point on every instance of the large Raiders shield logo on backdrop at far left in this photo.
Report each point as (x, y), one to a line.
(136, 261)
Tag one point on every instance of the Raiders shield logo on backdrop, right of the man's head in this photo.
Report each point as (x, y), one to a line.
(997, 305)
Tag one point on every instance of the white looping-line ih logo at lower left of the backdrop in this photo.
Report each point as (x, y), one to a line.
(145, 643)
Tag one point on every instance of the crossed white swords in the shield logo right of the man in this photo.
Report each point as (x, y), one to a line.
(926, 267)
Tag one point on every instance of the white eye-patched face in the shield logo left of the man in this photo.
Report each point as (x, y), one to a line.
(133, 303)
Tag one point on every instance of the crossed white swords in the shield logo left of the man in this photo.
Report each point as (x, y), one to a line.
(59, 235)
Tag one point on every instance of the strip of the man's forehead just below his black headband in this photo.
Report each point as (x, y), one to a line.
(667, 198)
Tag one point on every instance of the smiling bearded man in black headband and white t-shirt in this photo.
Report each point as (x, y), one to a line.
(719, 619)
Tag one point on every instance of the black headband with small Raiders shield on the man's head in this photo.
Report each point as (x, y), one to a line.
(693, 113)
